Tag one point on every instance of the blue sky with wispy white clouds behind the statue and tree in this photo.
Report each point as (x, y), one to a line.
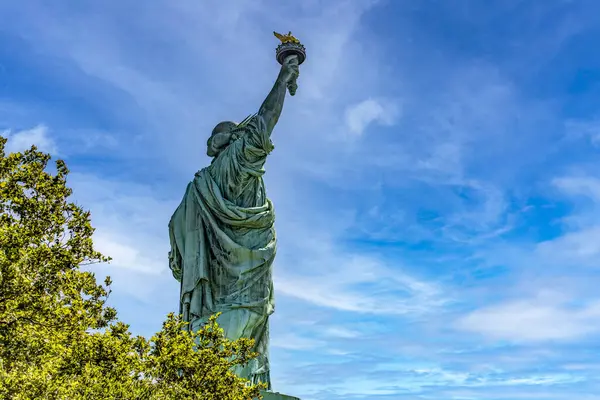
(436, 177)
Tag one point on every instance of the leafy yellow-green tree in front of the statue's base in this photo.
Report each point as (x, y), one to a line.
(58, 338)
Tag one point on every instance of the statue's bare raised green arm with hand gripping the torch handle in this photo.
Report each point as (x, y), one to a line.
(270, 110)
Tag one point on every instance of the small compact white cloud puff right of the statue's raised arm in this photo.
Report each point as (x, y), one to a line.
(359, 116)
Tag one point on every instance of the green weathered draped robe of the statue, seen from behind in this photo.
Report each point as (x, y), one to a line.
(223, 245)
